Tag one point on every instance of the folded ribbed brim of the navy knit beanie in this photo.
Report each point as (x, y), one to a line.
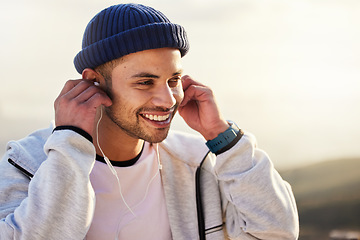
(145, 37)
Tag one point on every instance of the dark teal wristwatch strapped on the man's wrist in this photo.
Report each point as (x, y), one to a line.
(224, 138)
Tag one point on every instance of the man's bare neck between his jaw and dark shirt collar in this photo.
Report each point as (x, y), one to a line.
(114, 142)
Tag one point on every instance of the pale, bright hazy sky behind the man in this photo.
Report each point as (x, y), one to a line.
(288, 71)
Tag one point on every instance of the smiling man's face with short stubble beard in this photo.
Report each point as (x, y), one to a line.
(146, 91)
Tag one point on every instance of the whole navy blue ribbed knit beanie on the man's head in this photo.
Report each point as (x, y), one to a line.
(127, 28)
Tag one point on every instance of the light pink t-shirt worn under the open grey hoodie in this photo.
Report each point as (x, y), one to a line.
(111, 214)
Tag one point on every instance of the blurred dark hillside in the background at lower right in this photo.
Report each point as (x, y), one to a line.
(328, 197)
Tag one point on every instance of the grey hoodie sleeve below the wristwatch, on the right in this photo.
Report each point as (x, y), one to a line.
(257, 202)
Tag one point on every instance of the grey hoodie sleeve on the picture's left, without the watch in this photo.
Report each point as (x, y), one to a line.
(58, 202)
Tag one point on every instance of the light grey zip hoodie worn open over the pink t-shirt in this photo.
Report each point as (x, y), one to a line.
(242, 195)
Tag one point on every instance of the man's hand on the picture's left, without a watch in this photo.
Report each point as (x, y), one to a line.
(77, 103)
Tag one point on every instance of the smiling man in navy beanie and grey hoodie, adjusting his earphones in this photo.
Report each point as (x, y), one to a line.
(110, 169)
